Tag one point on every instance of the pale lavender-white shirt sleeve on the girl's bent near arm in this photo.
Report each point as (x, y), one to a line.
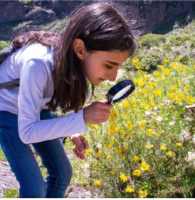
(31, 129)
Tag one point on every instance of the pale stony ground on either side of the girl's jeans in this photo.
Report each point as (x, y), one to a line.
(7, 180)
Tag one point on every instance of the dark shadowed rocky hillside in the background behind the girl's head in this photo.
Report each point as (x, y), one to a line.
(143, 16)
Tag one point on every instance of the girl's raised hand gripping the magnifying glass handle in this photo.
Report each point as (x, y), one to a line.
(97, 113)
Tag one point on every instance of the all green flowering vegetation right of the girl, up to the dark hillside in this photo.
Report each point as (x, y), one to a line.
(146, 149)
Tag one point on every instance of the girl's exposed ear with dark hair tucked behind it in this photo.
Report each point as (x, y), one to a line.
(79, 48)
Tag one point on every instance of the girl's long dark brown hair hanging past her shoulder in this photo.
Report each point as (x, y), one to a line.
(102, 28)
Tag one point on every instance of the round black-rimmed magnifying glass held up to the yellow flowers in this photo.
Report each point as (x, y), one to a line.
(120, 91)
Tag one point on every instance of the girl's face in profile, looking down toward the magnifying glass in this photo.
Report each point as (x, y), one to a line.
(99, 66)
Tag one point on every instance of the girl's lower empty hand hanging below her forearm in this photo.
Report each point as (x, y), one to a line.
(81, 145)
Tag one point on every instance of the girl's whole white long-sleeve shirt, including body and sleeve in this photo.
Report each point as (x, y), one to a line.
(34, 65)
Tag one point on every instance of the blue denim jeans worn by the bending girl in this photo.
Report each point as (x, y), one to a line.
(25, 166)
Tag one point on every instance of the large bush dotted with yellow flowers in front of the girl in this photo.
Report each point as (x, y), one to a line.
(147, 147)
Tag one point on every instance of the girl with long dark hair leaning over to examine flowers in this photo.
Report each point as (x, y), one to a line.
(56, 71)
